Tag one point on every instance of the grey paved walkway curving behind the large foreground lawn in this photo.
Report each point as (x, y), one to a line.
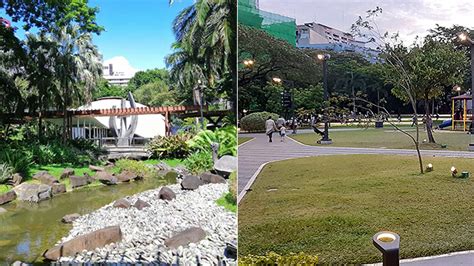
(255, 153)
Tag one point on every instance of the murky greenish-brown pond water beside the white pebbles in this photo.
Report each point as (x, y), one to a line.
(28, 229)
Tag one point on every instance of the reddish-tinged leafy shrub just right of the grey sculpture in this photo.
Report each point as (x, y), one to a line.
(169, 147)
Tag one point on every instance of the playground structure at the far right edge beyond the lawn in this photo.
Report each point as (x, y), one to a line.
(461, 112)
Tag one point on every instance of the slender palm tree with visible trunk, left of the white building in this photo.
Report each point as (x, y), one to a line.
(77, 68)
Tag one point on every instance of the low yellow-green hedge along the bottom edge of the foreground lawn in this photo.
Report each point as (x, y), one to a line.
(273, 258)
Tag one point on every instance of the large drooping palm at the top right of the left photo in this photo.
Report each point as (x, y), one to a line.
(205, 45)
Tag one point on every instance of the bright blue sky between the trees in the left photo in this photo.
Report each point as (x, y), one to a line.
(139, 30)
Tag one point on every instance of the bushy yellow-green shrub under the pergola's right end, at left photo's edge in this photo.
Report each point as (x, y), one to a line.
(226, 137)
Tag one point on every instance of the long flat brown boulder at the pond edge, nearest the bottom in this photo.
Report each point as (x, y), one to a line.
(90, 241)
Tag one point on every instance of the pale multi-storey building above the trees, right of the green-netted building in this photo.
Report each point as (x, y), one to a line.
(318, 36)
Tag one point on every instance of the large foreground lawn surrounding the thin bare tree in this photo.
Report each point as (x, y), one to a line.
(322, 207)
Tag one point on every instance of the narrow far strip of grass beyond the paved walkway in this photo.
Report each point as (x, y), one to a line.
(389, 138)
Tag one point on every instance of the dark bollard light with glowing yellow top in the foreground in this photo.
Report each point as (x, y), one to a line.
(389, 244)
